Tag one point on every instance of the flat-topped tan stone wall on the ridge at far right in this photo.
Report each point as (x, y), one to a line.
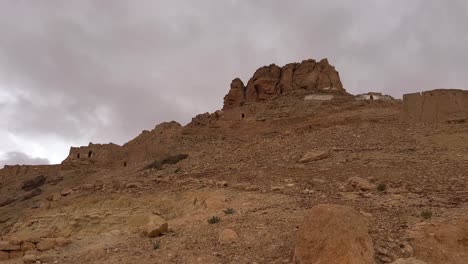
(435, 106)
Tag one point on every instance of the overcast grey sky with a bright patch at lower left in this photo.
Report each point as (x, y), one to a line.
(73, 72)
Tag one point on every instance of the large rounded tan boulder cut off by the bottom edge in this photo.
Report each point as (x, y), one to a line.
(333, 234)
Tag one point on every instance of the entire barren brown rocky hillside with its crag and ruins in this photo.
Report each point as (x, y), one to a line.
(293, 170)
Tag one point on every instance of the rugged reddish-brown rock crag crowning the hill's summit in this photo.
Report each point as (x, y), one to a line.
(271, 81)
